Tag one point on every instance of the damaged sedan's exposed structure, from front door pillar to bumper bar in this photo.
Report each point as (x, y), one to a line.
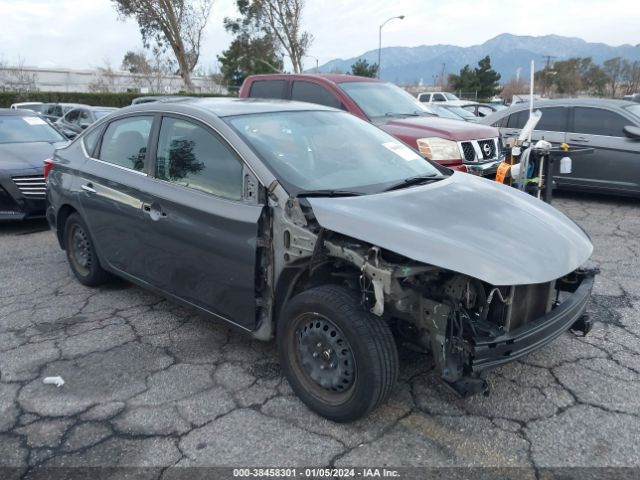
(467, 324)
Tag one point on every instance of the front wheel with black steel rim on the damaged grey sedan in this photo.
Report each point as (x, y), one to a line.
(339, 359)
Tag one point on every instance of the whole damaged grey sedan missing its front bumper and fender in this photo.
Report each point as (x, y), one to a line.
(307, 224)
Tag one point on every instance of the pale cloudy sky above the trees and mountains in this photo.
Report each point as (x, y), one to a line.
(88, 33)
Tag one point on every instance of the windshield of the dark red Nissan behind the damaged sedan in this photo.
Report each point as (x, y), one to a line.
(377, 99)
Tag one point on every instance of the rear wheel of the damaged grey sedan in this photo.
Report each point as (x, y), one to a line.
(81, 253)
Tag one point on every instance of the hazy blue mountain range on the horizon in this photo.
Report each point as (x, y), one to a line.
(511, 56)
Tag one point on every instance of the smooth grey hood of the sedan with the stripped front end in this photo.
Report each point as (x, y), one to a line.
(465, 224)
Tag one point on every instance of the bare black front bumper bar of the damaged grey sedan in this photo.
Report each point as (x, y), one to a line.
(493, 352)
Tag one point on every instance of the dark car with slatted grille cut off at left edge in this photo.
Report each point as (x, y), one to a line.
(26, 140)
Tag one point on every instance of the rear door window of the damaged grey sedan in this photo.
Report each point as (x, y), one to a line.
(125, 142)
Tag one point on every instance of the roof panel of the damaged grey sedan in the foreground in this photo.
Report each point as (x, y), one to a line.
(228, 106)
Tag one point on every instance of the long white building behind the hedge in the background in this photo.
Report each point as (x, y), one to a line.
(69, 80)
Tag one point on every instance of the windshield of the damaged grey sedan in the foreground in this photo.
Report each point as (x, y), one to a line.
(329, 151)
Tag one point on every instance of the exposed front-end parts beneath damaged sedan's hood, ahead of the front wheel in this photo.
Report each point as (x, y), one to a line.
(467, 325)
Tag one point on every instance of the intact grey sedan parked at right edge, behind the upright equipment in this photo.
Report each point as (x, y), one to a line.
(610, 127)
